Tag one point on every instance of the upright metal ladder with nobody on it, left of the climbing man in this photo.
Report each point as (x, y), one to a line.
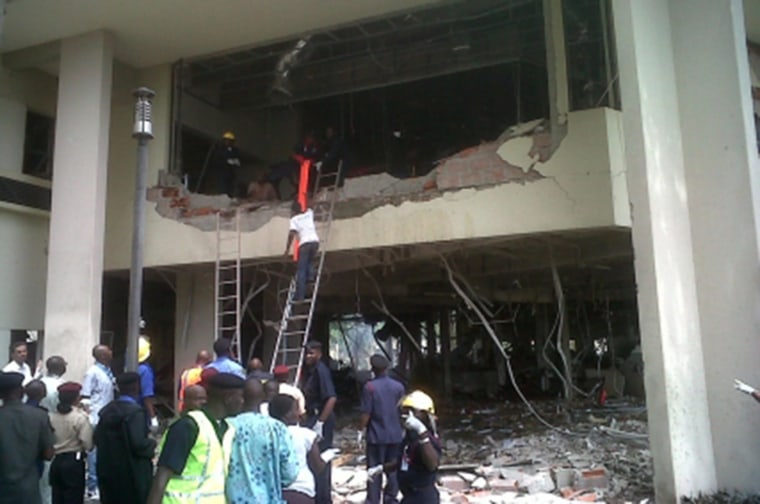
(227, 278)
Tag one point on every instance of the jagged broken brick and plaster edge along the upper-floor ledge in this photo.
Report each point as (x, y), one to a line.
(512, 158)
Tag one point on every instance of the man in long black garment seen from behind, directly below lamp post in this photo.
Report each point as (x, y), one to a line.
(125, 451)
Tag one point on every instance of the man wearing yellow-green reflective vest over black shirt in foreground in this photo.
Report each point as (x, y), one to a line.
(192, 466)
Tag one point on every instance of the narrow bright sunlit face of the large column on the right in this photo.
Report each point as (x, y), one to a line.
(679, 425)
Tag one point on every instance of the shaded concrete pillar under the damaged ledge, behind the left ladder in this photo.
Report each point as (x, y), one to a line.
(194, 323)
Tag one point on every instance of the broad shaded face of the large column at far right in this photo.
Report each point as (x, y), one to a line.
(717, 131)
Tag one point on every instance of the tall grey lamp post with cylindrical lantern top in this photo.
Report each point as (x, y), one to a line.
(143, 132)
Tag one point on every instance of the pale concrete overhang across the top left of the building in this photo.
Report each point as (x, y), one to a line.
(152, 32)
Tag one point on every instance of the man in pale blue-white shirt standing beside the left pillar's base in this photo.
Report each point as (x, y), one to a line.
(97, 390)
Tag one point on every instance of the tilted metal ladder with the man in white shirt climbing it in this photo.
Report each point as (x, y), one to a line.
(297, 316)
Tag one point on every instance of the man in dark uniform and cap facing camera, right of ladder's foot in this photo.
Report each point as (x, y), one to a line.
(319, 392)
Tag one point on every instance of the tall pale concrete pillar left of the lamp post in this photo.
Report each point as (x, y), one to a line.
(75, 260)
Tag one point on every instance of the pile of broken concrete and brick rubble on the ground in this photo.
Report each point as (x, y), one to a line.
(503, 454)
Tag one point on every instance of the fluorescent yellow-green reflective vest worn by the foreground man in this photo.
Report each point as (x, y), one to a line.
(202, 480)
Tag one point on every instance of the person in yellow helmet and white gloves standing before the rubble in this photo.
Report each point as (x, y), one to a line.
(420, 452)
